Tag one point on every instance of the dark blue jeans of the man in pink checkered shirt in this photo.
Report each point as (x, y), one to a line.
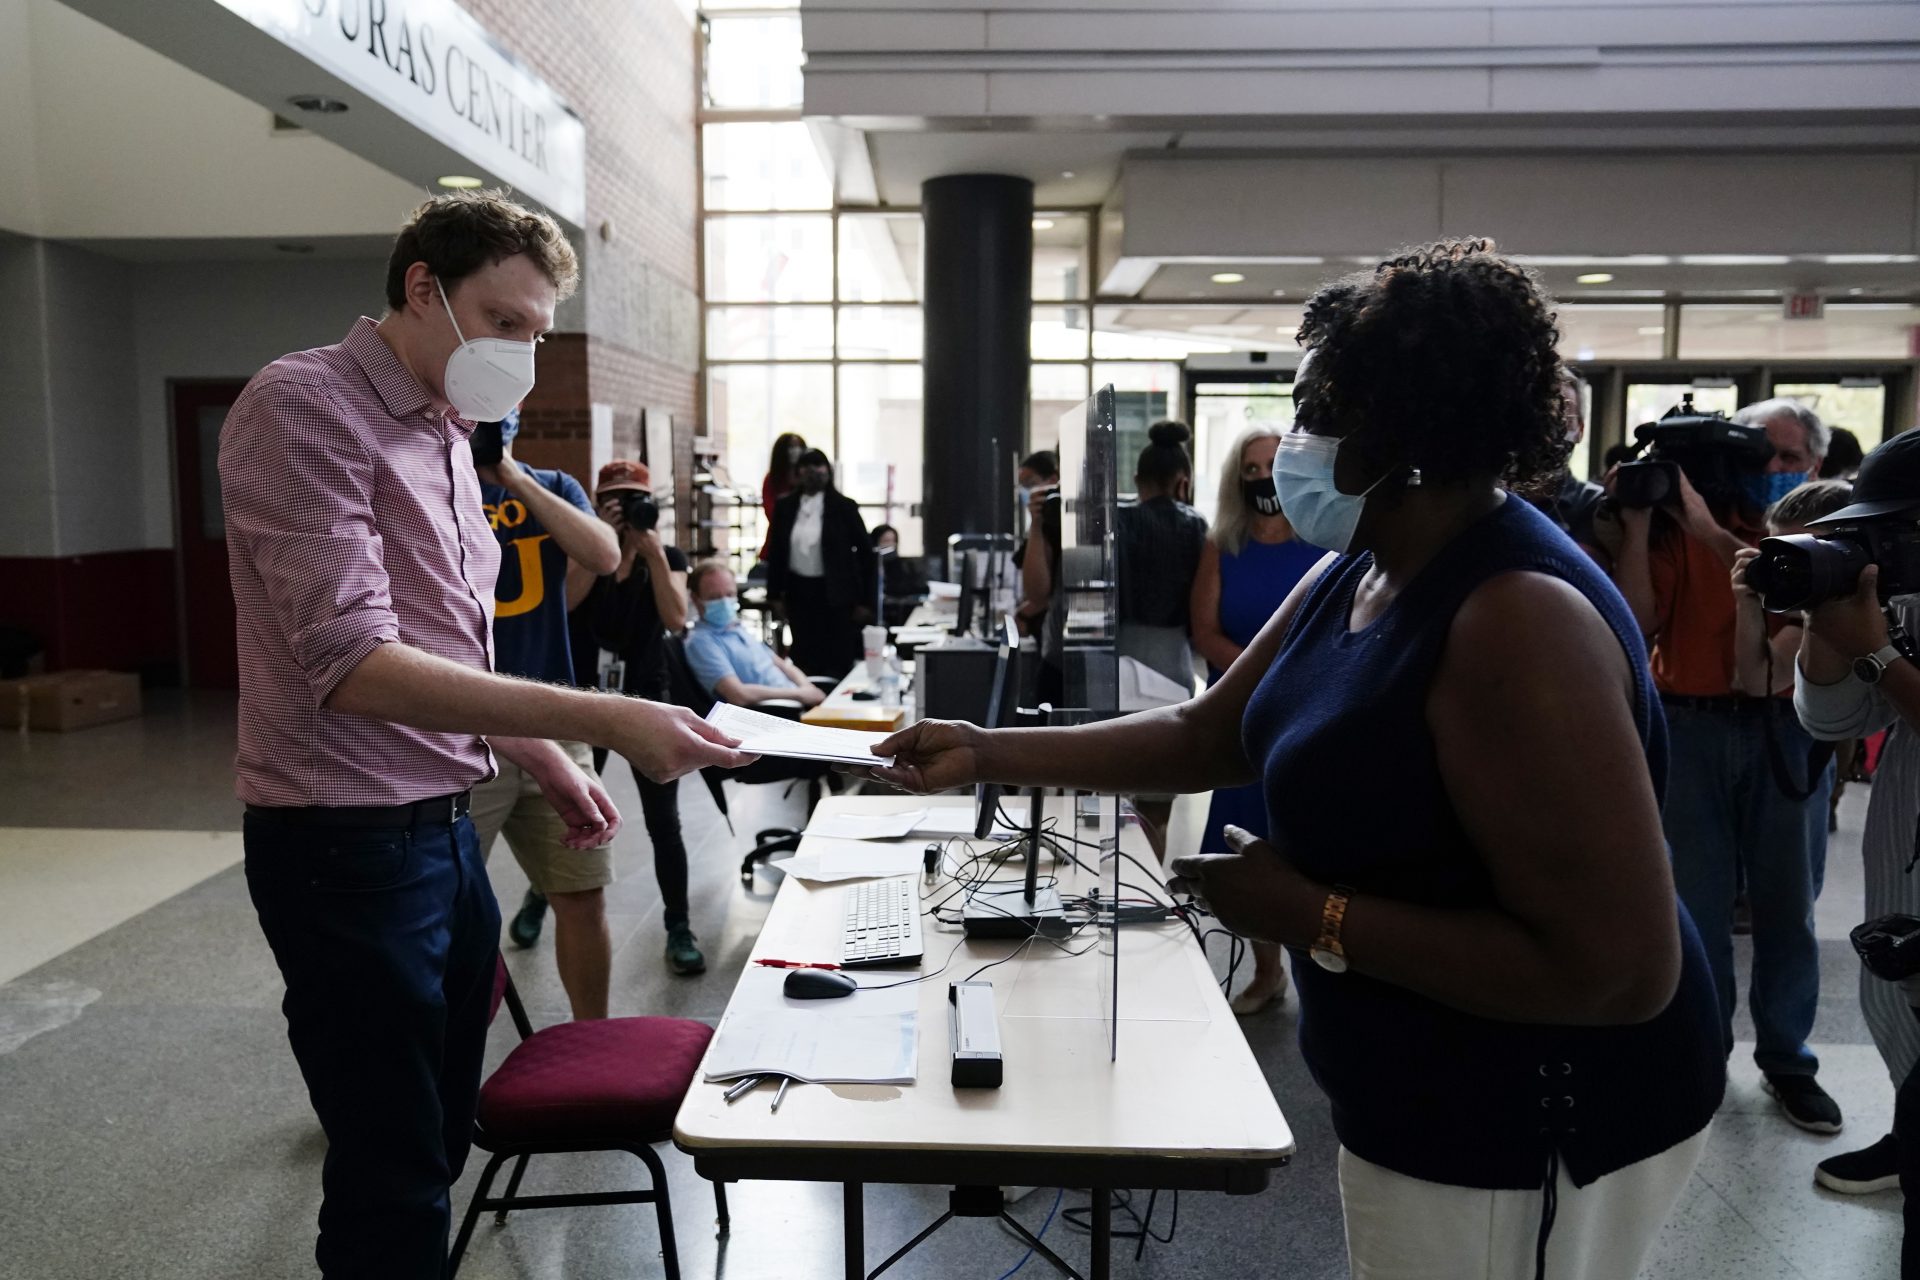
(387, 941)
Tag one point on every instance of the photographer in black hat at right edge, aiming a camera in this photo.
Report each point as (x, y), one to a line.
(1856, 573)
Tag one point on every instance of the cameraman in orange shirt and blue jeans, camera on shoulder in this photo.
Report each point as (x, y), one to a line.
(1746, 792)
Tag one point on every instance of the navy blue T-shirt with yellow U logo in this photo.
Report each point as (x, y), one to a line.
(531, 596)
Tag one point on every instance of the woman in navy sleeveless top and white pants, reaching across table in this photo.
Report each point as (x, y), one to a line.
(1464, 763)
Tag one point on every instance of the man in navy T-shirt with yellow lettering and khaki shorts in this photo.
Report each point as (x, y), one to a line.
(542, 521)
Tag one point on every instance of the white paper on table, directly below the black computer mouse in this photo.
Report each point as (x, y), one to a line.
(817, 1047)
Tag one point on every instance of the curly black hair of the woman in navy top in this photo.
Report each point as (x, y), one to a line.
(1441, 358)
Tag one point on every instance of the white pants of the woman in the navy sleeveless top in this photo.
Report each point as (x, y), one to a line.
(1406, 1229)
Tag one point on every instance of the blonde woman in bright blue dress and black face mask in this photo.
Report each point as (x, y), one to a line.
(1251, 563)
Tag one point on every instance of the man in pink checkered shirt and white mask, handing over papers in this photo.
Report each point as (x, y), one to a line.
(364, 579)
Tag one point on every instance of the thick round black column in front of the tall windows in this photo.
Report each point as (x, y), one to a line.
(978, 289)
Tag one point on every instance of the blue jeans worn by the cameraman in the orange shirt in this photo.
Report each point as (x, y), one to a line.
(1727, 815)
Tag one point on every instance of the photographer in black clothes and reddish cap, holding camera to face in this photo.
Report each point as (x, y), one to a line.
(631, 613)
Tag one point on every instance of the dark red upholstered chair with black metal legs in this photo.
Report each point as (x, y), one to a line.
(608, 1085)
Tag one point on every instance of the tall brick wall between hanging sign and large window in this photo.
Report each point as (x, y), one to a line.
(627, 68)
